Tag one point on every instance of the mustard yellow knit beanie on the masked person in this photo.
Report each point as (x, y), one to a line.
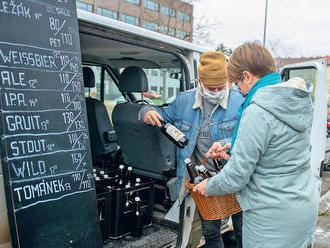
(212, 68)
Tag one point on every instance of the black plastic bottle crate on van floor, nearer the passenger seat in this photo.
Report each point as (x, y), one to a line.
(122, 219)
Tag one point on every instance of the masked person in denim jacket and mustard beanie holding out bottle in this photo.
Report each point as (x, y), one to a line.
(206, 115)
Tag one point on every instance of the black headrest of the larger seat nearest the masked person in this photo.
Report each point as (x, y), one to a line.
(133, 79)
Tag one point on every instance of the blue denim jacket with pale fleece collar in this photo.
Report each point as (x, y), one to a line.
(185, 112)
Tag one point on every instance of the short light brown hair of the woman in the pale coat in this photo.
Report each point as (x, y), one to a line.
(250, 57)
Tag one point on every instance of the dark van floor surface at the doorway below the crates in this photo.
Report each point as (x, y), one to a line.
(153, 237)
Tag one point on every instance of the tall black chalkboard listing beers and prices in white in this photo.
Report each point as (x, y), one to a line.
(45, 150)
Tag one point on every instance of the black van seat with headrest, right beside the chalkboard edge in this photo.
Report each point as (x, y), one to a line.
(103, 139)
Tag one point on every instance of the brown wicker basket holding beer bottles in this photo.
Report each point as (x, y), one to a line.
(214, 207)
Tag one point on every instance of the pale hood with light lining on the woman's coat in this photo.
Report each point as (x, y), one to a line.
(290, 102)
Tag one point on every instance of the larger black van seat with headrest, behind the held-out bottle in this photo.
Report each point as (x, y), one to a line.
(143, 147)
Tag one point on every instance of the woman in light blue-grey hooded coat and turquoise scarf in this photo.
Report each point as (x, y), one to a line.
(269, 168)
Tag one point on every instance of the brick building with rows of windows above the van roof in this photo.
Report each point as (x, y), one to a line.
(170, 17)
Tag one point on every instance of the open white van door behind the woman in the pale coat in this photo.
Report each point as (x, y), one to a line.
(314, 72)
